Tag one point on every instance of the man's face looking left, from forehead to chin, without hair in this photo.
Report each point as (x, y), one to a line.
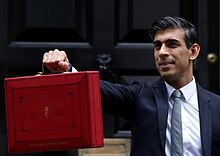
(171, 55)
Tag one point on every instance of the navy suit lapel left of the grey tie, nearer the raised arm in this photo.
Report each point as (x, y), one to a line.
(162, 107)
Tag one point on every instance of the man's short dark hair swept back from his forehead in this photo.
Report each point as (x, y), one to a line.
(171, 22)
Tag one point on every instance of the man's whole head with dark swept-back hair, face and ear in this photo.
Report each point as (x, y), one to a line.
(175, 48)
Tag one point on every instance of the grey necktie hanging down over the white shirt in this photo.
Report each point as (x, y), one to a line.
(176, 126)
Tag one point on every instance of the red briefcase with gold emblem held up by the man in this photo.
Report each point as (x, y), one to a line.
(53, 112)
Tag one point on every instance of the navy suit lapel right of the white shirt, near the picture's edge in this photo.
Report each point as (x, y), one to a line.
(205, 110)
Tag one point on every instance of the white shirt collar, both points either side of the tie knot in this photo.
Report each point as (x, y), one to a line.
(187, 90)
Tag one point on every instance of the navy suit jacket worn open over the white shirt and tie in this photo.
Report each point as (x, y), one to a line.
(146, 107)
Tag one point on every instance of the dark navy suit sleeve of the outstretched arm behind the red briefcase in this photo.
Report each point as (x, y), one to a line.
(120, 99)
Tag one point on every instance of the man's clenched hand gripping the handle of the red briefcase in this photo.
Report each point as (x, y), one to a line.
(56, 61)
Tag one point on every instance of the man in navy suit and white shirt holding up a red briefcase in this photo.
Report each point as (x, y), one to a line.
(149, 107)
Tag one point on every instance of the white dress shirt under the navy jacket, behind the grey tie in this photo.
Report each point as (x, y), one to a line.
(190, 121)
